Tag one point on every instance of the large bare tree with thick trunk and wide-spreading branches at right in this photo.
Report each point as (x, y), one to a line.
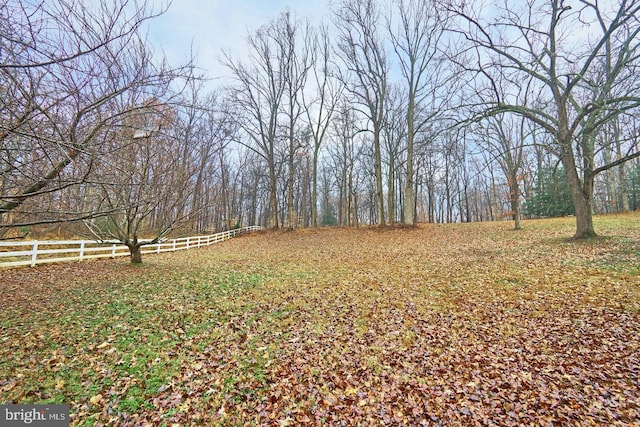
(582, 80)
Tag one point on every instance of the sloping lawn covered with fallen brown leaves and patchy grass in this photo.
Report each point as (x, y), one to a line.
(467, 324)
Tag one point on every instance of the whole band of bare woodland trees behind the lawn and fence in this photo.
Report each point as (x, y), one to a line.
(393, 112)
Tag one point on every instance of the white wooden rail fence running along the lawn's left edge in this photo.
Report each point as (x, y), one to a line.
(35, 252)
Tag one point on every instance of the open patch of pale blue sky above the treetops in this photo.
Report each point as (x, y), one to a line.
(213, 25)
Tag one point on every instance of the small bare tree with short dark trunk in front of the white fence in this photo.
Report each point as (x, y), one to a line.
(144, 186)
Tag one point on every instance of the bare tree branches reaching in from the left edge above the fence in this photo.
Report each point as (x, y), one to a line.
(64, 66)
